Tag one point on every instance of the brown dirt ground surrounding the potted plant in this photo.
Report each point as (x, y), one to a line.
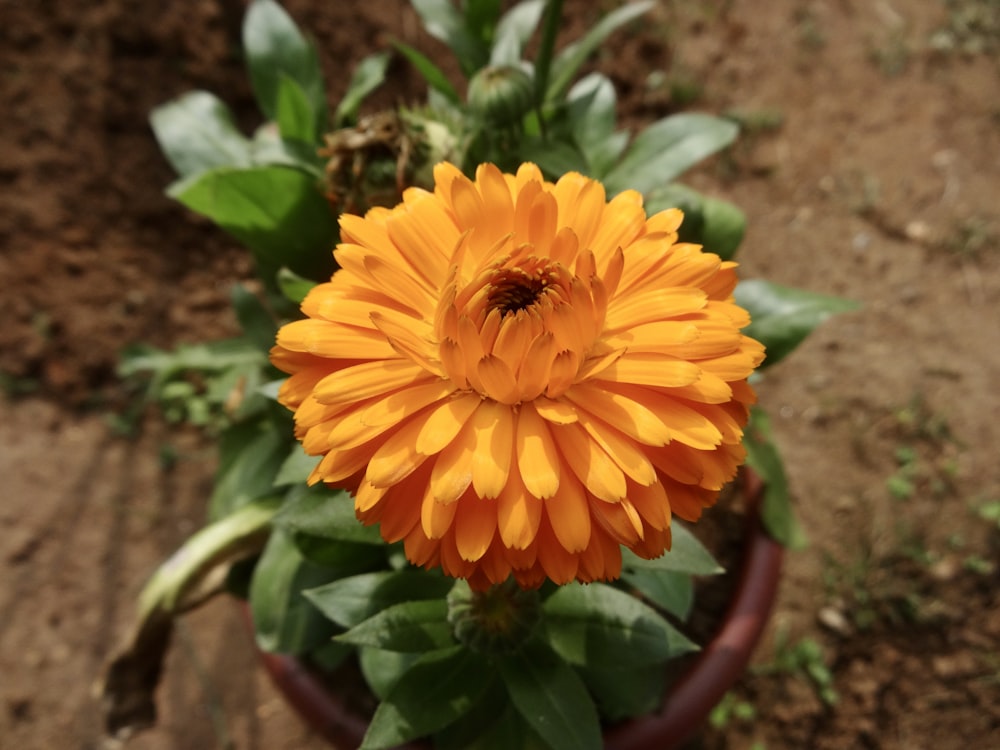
(869, 168)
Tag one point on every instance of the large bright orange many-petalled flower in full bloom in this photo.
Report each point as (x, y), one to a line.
(516, 377)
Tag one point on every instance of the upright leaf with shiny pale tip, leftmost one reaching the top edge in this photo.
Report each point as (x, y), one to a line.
(284, 70)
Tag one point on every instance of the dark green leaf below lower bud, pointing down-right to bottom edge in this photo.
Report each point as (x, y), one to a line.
(551, 697)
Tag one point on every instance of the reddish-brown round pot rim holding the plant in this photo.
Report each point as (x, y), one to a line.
(686, 705)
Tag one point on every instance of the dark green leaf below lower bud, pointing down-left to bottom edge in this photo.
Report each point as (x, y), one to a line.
(438, 688)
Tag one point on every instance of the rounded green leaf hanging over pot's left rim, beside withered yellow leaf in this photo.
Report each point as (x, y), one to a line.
(284, 621)
